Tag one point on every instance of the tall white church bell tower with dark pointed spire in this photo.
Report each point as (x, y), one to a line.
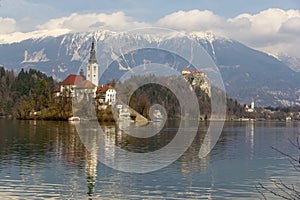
(92, 67)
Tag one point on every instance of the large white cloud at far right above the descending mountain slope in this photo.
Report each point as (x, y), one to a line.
(272, 30)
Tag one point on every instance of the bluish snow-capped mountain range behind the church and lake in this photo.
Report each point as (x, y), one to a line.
(247, 73)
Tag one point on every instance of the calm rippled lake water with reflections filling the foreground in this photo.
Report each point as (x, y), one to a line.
(42, 159)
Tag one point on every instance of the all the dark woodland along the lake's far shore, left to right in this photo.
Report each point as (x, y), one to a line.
(32, 91)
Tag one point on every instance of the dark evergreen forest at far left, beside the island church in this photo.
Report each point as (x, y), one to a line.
(27, 92)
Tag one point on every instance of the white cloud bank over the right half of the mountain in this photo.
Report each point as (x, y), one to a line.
(264, 30)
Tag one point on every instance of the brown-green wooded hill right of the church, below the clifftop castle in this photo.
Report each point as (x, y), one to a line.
(152, 93)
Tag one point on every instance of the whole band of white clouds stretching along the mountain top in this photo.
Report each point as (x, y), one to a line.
(273, 30)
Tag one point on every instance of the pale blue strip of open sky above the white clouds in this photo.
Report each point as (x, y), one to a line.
(146, 10)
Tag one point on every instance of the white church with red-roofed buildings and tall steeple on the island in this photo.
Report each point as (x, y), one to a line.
(81, 86)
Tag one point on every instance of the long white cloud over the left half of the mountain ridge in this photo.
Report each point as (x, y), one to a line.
(73, 23)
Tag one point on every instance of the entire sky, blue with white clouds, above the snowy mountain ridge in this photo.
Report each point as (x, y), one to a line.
(272, 26)
